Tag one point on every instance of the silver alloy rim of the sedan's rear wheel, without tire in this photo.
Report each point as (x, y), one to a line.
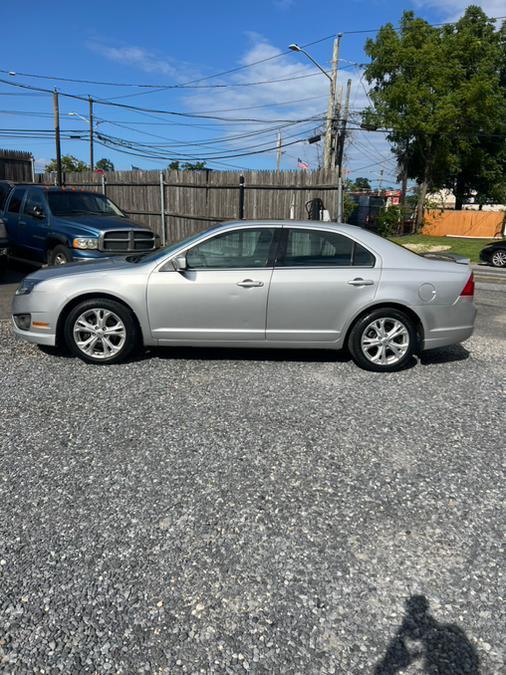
(385, 341)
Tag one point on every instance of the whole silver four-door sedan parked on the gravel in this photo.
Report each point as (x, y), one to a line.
(282, 284)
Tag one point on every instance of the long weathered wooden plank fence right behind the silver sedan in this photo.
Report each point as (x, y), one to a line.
(177, 204)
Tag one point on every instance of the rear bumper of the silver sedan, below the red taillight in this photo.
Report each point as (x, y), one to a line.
(449, 325)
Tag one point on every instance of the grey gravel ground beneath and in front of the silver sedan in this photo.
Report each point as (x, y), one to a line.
(229, 512)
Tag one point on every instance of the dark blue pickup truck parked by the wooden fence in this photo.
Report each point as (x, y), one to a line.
(54, 226)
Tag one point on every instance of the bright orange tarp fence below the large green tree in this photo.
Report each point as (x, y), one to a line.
(464, 223)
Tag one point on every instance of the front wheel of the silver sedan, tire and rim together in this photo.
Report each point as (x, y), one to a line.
(101, 331)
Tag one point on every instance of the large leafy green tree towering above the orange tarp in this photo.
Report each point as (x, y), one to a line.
(440, 92)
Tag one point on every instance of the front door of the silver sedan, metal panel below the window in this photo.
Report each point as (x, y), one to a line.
(208, 305)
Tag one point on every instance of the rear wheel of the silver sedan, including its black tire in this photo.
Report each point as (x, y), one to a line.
(398, 351)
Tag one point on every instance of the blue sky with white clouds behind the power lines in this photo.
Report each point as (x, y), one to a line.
(164, 43)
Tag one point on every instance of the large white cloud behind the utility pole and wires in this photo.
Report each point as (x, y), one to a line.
(265, 102)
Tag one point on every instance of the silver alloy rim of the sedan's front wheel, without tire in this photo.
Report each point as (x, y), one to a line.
(99, 333)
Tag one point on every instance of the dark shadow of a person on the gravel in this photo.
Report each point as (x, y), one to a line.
(440, 649)
